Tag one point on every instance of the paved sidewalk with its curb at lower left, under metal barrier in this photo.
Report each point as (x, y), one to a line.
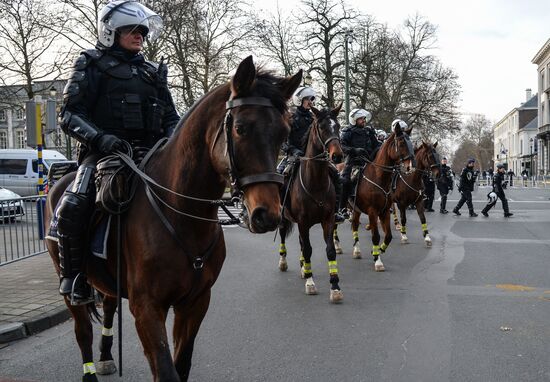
(29, 298)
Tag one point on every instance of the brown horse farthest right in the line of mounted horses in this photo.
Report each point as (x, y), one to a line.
(409, 189)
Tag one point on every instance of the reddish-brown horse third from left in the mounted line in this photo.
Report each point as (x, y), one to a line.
(373, 193)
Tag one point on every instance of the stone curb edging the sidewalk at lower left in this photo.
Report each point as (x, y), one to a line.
(19, 330)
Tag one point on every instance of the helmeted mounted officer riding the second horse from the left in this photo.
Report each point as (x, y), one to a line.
(294, 147)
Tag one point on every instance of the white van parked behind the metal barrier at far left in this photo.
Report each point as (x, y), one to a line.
(19, 169)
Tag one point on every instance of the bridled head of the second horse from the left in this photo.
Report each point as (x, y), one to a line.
(327, 132)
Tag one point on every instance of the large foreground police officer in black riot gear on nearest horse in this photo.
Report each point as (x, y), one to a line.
(112, 96)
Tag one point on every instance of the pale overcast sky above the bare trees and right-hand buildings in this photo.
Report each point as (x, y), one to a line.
(489, 44)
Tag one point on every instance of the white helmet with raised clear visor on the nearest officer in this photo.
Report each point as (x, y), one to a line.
(121, 13)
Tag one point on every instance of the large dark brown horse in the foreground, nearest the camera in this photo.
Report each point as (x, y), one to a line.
(173, 253)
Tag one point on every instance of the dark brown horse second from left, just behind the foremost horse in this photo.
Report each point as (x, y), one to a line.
(311, 198)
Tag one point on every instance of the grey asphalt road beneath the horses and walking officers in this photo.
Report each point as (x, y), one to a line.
(474, 307)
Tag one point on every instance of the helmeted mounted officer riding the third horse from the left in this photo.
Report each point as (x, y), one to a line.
(360, 144)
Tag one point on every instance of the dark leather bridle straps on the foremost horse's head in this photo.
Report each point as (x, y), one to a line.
(239, 182)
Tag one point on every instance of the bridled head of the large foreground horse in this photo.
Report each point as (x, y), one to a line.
(256, 125)
